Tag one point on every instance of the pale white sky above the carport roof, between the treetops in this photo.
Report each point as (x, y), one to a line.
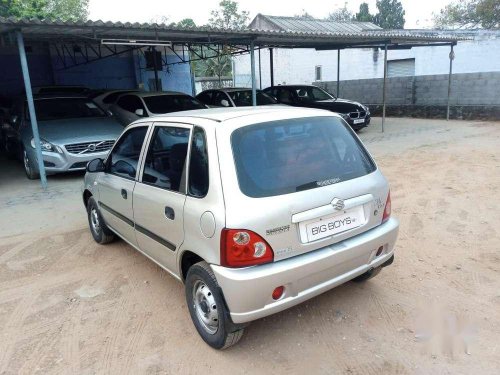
(418, 12)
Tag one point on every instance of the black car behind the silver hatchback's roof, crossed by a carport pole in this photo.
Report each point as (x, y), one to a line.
(233, 97)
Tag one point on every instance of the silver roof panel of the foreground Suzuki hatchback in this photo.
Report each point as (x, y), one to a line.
(218, 115)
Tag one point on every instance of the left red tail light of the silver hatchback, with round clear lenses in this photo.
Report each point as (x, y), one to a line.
(243, 248)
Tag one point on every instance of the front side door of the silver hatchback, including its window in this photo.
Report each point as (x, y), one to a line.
(116, 185)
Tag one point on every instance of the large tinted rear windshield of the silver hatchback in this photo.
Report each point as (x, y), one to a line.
(286, 156)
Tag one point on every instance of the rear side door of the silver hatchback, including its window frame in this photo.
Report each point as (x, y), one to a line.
(160, 195)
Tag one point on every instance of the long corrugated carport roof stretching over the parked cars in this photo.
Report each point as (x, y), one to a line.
(50, 30)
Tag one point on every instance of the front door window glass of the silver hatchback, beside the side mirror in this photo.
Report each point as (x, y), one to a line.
(124, 158)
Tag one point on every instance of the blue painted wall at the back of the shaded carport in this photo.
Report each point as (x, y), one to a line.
(121, 72)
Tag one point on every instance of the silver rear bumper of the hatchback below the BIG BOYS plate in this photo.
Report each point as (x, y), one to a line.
(248, 290)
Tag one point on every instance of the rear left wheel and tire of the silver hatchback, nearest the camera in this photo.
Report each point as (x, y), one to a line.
(208, 310)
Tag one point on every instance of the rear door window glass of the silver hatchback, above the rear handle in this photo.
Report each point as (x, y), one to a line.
(164, 166)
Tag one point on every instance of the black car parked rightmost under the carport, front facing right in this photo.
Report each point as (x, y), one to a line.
(356, 114)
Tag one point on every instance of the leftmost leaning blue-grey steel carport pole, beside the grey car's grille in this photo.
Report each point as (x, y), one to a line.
(31, 108)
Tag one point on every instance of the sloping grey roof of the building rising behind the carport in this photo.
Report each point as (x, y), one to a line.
(296, 24)
